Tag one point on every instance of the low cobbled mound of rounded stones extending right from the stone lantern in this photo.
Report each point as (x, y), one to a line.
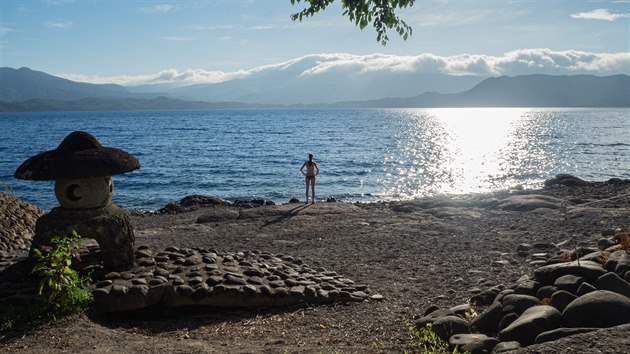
(199, 277)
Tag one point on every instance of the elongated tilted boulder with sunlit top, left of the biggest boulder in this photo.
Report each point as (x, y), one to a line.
(534, 321)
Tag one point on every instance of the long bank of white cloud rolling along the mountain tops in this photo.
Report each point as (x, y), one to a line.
(518, 62)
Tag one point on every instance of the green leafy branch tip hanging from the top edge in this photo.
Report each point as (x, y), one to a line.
(380, 13)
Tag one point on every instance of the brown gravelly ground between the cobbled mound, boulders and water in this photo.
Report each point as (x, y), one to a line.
(414, 254)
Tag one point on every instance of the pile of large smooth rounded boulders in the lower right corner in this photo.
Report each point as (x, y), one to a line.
(571, 291)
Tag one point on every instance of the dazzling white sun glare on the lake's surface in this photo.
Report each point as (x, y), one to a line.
(459, 150)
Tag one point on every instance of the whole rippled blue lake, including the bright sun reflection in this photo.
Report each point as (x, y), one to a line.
(364, 155)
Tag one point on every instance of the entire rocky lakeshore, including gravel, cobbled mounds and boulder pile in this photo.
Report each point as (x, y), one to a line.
(545, 271)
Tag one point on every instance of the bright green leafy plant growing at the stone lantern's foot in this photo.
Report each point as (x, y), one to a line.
(61, 287)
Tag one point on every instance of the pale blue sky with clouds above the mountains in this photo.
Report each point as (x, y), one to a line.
(136, 42)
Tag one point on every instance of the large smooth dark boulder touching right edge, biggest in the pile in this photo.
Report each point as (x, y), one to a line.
(599, 308)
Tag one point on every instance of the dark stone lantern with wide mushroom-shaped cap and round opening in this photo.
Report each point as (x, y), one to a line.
(82, 170)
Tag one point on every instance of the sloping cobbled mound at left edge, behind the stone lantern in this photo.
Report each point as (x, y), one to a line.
(17, 223)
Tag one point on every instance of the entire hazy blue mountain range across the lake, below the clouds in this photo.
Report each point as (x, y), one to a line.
(28, 90)
